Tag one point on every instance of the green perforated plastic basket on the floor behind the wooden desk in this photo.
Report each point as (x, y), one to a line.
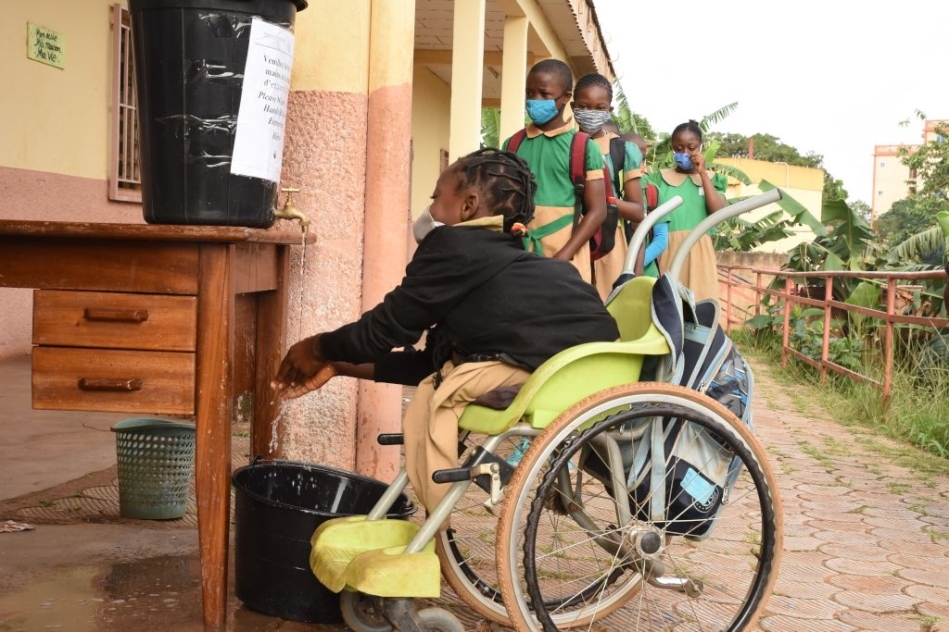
(156, 461)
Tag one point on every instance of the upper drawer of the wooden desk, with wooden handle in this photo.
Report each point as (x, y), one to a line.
(114, 320)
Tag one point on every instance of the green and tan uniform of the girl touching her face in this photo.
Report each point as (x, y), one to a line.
(699, 272)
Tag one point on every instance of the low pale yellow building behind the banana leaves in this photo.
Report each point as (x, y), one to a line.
(804, 184)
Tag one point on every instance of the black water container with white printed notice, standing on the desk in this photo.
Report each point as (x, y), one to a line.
(192, 65)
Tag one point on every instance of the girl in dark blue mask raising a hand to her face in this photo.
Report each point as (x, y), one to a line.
(703, 193)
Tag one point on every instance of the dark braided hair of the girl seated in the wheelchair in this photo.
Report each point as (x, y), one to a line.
(506, 179)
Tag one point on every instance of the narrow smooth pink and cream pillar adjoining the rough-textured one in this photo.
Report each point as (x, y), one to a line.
(388, 174)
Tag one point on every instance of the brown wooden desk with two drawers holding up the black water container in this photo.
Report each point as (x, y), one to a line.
(177, 320)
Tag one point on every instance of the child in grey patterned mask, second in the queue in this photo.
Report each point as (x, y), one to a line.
(593, 109)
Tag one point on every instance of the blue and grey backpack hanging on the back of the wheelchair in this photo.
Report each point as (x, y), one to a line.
(678, 474)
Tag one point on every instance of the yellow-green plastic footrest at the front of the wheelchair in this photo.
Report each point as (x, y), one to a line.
(368, 556)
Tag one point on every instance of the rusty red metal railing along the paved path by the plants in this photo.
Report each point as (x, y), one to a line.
(756, 283)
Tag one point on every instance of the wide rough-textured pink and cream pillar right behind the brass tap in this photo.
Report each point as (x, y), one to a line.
(325, 158)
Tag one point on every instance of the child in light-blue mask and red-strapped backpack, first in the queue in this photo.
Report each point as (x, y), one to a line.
(555, 232)
